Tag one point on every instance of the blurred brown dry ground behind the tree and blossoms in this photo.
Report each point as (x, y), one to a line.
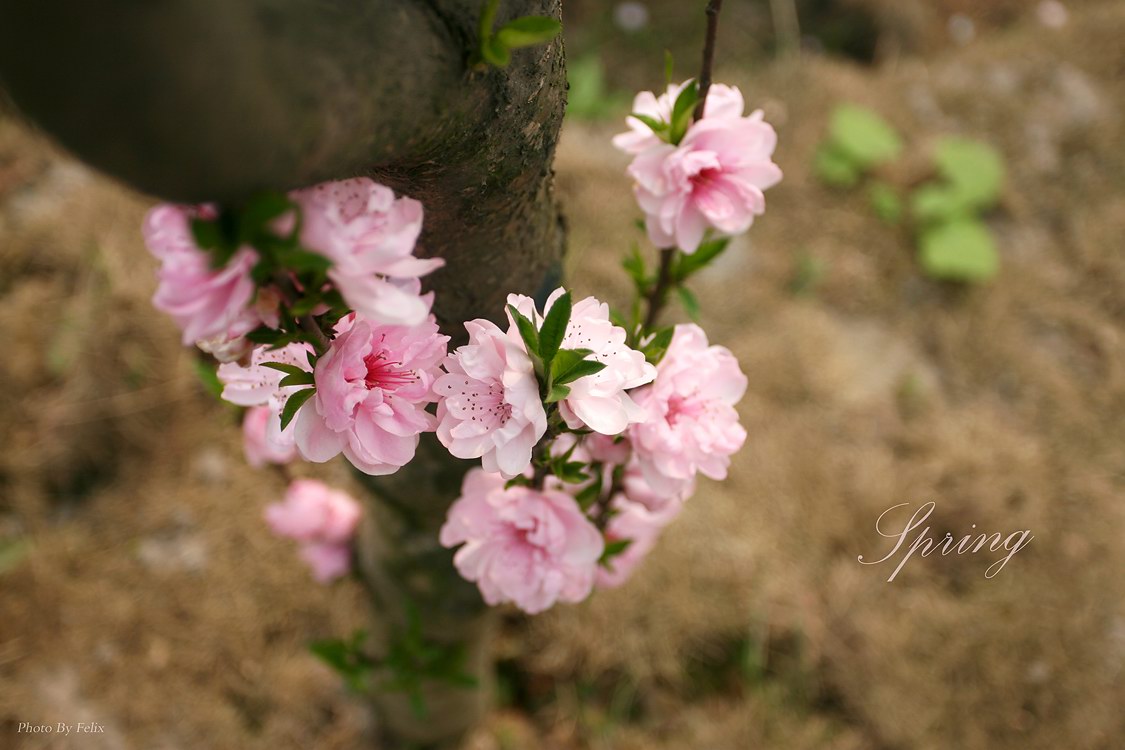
(142, 591)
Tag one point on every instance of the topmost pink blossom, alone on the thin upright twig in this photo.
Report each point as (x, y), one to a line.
(713, 179)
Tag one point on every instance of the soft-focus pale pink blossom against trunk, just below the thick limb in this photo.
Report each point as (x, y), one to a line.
(370, 237)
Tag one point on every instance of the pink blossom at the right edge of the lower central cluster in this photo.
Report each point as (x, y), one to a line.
(692, 424)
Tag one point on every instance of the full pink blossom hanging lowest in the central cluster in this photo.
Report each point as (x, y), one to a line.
(523, 546)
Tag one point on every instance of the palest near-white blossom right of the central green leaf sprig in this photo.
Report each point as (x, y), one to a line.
(600, 401)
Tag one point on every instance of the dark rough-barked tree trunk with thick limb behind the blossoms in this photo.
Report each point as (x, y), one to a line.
(196, 101)
